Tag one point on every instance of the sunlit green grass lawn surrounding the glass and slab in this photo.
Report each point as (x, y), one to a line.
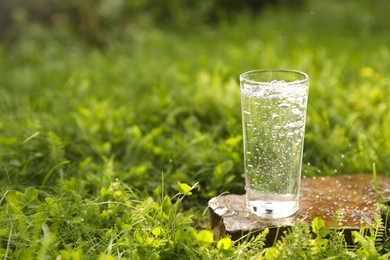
(88, 133)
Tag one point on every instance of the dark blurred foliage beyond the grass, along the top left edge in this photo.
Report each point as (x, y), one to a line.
(92, 19)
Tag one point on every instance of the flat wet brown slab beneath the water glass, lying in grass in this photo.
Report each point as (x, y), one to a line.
(351, 195)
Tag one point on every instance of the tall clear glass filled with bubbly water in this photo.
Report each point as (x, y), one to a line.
(274, 104)
